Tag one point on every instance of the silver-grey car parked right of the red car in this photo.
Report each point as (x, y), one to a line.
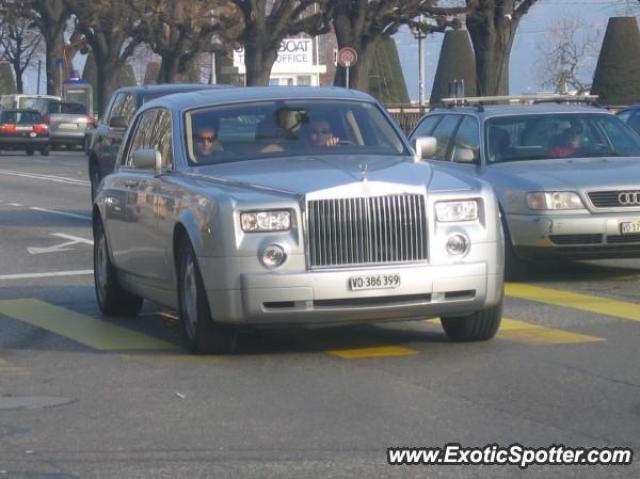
(68, 123)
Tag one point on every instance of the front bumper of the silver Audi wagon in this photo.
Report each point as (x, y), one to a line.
(574, 236)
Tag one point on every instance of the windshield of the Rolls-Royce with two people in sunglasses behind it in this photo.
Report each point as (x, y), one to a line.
(266, 129)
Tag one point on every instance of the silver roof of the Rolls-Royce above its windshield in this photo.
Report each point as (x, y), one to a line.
(185, 101)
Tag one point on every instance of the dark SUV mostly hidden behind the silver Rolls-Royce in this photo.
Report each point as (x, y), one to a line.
(110, 129)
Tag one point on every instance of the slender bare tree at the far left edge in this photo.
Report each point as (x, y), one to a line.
(19, 42)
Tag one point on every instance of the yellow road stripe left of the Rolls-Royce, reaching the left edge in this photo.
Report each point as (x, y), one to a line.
(92, 332)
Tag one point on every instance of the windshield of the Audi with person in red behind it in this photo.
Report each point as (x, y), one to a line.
(535, 137)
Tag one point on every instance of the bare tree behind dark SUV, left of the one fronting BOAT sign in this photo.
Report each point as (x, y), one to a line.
(179, 30)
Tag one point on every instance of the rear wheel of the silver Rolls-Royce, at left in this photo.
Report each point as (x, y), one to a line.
(113, 300)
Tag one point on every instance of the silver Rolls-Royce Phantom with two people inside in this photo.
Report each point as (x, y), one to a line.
(278, 206)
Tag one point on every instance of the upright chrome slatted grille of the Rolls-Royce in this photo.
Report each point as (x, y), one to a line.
(363, 231)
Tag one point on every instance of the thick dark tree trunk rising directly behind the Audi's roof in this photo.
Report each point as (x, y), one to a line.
(492, 25)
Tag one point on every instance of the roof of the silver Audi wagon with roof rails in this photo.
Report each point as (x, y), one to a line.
(489, 111)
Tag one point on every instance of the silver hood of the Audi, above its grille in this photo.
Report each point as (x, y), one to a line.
(562, 174)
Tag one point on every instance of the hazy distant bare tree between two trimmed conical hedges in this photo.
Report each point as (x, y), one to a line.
(567, 56)
